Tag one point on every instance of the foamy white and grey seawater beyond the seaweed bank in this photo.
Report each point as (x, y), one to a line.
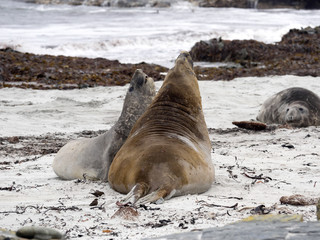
(137, 34)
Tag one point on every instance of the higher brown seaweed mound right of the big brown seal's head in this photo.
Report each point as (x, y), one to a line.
(298, 53)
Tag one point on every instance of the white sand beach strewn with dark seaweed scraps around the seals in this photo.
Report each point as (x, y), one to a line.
(292, 171)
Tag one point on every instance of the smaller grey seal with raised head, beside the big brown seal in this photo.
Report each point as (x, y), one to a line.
(91, 157)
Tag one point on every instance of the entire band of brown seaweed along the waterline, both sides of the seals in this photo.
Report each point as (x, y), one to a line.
(298, 53)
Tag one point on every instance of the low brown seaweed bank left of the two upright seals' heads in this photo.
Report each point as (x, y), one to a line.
(27, 70)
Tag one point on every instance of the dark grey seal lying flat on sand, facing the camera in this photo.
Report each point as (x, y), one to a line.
(293, 107)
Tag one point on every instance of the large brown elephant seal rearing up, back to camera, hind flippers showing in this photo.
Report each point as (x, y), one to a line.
(168, 151)
